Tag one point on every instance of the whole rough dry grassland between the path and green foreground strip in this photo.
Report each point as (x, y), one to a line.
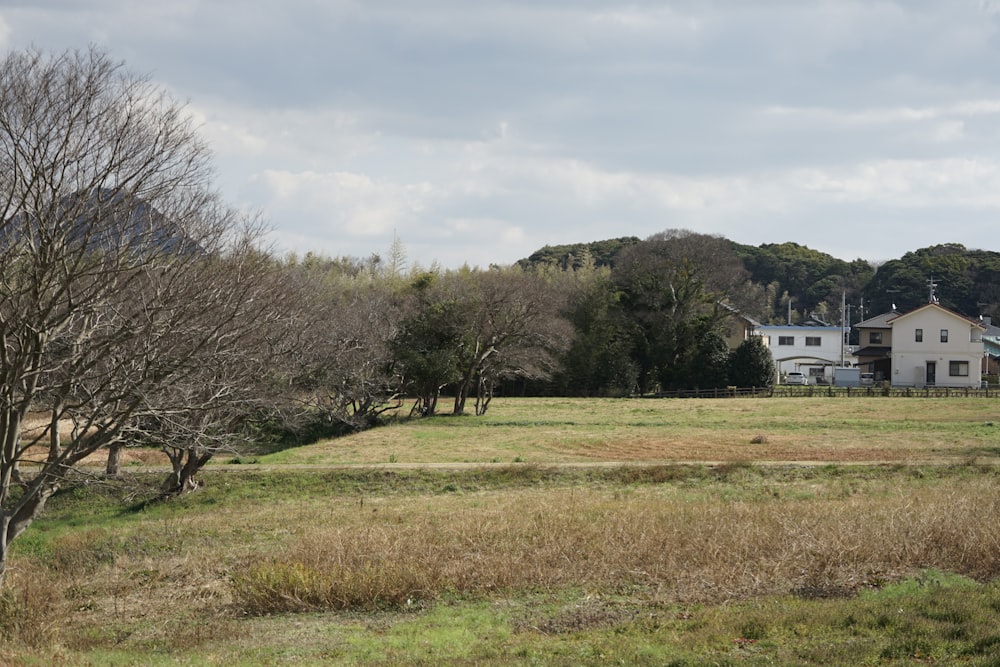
(195, 574)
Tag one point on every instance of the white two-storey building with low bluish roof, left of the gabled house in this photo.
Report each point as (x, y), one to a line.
(811, 349)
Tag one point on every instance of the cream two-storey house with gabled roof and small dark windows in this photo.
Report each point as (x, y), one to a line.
(934, 346)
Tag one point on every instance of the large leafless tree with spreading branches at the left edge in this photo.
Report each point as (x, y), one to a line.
(122, 276)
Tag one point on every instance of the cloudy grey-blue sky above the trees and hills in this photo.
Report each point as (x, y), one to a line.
(479, 132)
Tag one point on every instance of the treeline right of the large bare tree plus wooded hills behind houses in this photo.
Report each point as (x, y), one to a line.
(615, 317)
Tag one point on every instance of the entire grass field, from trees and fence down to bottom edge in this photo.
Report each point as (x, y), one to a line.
(550, 531)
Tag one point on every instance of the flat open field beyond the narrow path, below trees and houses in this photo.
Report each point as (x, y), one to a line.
(572, 430)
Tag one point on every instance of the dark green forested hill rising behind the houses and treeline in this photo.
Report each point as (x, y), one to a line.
(967, 280)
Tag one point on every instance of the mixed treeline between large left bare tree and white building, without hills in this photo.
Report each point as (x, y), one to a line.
(379, 334)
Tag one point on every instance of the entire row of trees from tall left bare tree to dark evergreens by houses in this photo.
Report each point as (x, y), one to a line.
(137, 309)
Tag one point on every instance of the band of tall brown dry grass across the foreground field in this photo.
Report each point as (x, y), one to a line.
(676, 549)
